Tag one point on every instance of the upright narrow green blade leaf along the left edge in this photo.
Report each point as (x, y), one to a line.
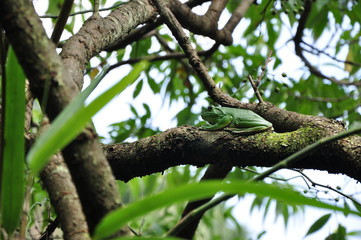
(12, 176)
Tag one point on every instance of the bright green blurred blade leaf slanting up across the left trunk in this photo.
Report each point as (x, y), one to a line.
(74, 118)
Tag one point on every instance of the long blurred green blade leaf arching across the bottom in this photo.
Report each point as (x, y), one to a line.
(194, 191)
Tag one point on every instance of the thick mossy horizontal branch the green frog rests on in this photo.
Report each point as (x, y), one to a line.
(189, 145)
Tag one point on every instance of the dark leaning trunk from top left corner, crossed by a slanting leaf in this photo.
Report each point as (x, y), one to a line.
(49, 80)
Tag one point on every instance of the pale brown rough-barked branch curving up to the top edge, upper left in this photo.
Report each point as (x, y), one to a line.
(96, 34)
